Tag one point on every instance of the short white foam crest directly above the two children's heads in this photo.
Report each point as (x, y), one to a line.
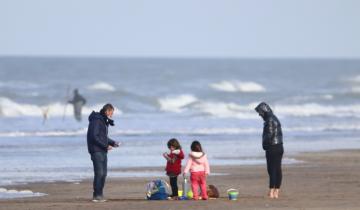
(176, 103)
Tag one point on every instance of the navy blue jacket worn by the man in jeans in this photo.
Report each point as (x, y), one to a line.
(97, 135)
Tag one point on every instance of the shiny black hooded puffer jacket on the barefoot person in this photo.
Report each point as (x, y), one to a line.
(272, 133)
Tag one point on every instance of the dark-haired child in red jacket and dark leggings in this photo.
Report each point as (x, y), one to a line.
(173, 165)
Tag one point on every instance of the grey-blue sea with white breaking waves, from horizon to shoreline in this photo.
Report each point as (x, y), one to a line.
(155, 99)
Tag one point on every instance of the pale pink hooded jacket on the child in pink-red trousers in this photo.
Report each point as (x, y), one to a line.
(197, 162)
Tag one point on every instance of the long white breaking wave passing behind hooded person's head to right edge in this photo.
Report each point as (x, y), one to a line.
(233, 110)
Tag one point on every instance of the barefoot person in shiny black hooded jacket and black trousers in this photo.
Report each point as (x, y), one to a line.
(272, 143)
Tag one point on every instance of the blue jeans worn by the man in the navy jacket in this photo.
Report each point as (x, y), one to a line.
(99, 160)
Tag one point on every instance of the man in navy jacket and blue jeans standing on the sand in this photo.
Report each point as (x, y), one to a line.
(99, 144)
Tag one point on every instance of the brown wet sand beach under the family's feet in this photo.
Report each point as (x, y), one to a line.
(326, 180)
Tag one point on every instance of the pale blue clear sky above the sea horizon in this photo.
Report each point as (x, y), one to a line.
(183, 28)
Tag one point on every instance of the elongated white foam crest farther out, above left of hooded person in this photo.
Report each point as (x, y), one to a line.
(238, 86)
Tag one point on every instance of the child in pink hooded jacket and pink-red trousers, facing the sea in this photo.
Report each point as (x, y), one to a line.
(198, 166)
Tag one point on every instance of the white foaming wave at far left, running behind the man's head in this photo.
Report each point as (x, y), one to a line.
(9, 108)
